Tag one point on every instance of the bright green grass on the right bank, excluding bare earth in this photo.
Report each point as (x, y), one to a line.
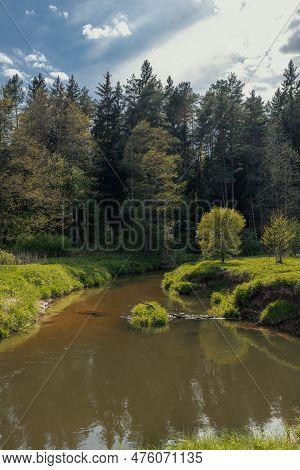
(249, 278)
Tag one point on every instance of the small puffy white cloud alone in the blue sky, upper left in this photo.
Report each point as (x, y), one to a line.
(118, 28)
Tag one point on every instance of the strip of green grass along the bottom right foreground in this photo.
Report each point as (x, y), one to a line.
(238, 441)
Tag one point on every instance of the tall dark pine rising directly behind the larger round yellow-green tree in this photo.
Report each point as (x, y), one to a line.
(219, 133)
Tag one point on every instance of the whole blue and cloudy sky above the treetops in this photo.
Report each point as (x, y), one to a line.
(199, 41)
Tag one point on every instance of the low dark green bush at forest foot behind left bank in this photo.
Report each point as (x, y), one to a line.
(43, 244)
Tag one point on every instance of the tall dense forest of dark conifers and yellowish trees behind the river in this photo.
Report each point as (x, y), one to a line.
(146, 141)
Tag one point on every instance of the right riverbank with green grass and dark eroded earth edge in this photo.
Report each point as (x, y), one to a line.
(250, 289)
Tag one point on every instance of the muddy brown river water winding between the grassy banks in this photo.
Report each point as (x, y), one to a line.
(114, 387)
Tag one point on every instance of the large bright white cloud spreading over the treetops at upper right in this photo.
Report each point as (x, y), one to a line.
(234, 39)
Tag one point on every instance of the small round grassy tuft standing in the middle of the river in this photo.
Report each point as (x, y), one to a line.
(149, 315)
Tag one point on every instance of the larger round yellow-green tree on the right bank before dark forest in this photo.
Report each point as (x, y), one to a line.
(219, 233)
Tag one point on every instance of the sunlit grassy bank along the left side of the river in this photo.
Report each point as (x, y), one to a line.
(22, 287)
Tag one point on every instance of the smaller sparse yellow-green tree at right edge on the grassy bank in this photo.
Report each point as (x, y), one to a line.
(279, 236)
